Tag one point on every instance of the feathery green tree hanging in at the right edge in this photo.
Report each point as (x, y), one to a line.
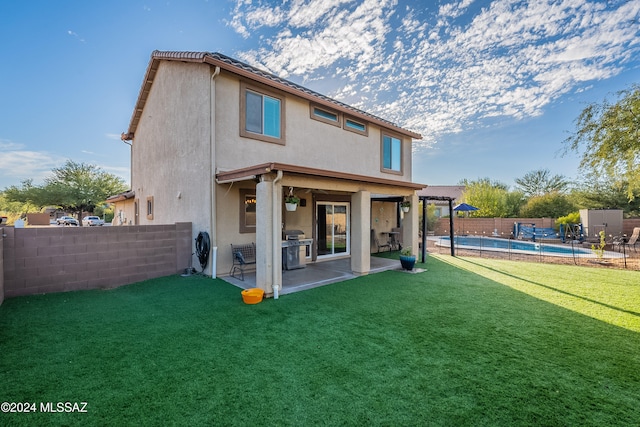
(609, 135)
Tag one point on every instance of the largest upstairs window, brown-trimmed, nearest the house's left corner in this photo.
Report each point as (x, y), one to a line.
(262, 115)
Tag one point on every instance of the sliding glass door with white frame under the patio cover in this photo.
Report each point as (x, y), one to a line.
(333, 229)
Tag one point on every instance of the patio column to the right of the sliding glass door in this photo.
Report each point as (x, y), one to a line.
(361, 232)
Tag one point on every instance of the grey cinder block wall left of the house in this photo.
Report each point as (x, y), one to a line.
(59, 259)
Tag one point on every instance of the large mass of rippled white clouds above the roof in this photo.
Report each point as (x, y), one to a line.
(443, 70)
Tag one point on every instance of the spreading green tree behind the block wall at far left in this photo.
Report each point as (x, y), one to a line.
(74, 187)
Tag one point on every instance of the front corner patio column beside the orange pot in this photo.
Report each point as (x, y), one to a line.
(268, 263)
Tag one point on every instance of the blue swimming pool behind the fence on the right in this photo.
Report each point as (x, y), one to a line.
(519, 246)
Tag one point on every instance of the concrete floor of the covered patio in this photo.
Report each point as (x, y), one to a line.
(316, 274)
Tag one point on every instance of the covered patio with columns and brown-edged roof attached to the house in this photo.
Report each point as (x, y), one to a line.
(333, 214)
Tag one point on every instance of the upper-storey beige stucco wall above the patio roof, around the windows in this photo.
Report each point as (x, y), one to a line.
(309, 142)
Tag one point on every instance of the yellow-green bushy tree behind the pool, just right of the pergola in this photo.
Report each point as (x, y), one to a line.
(492, 198)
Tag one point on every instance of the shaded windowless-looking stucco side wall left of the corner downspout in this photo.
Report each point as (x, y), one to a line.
(171, 159)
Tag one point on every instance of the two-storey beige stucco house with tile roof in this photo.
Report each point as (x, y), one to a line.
(220, 144)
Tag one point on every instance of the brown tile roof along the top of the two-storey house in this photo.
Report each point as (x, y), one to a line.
(246, 70)
